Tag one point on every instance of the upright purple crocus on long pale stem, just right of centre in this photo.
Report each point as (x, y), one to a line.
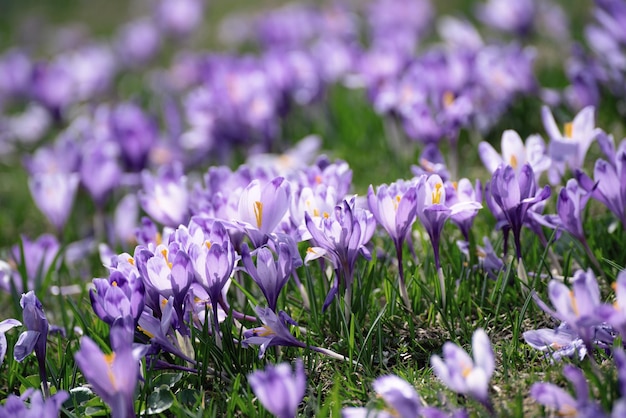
(394, 209)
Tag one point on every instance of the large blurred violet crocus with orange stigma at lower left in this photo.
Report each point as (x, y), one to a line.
(112, 376)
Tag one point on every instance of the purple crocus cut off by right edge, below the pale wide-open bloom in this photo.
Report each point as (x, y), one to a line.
(610, 177)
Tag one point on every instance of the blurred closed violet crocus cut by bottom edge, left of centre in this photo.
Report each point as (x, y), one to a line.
(280, 389)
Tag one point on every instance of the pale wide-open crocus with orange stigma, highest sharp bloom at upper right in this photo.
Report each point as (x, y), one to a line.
(568, 149)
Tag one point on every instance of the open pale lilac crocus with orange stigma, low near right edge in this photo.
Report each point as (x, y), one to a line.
(577, 307)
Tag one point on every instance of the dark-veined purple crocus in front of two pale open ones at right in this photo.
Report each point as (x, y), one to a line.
(515, 195)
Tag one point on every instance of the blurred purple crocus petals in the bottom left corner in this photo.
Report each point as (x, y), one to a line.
(37, 406)
